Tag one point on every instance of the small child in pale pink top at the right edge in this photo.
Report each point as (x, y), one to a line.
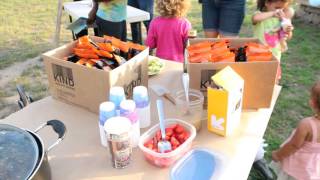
(299, 156)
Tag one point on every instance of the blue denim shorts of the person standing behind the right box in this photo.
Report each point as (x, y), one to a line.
(223, 16)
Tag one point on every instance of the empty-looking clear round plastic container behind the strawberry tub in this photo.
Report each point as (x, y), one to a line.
(193, 114)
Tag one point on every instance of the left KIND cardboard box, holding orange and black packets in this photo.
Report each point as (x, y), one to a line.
(88, 87)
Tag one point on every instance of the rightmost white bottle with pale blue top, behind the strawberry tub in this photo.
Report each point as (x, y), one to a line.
(141, 98)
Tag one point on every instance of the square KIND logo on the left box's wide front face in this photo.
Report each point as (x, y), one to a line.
(63, 76)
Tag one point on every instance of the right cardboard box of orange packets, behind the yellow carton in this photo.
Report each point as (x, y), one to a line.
(259, 77)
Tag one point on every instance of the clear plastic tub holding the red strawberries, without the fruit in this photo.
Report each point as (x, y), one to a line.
(166, 159)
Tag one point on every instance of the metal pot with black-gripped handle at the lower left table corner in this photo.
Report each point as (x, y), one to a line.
(29, 161)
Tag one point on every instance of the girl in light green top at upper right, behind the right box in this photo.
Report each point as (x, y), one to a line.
(267, 25)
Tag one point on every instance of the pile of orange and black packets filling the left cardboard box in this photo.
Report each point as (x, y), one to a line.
(99, 54)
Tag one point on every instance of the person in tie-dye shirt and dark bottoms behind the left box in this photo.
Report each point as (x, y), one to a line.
(110, 17)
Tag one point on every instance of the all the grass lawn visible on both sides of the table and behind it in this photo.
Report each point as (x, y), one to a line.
(27, 30)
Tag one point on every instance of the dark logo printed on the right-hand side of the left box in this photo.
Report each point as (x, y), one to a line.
(137, 81)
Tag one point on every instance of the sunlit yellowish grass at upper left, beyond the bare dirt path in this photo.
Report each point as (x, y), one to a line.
(27, 29)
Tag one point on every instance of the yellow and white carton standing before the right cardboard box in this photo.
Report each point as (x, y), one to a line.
(225, 101)
